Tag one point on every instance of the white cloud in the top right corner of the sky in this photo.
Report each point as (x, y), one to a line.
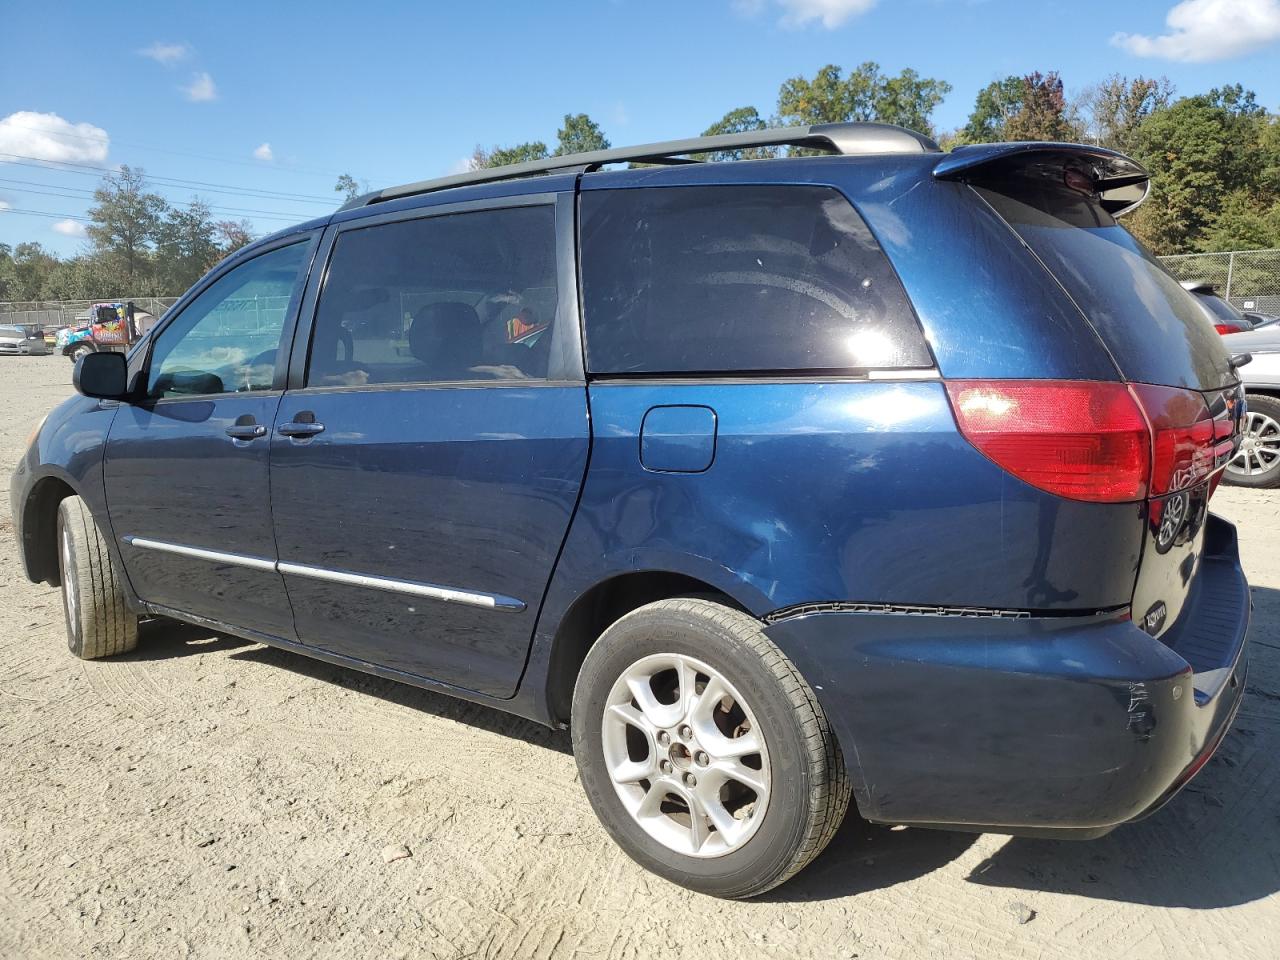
(1209, 30)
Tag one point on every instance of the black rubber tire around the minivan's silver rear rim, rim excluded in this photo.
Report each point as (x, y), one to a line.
(808, 783)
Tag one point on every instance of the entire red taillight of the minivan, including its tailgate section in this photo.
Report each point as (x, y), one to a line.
(1087, 441)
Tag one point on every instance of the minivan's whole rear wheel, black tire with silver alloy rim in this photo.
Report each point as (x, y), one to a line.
(703, 751)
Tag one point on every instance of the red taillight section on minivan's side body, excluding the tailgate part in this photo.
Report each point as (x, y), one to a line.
(1075, 438)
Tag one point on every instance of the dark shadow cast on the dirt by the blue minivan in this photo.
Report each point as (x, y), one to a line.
(1218, 844)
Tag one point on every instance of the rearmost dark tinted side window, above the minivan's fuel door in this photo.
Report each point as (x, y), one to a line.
(739, 278)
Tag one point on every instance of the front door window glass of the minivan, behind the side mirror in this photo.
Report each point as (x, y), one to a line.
(227, 340)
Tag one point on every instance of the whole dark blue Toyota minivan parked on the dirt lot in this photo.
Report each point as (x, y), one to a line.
(880, 476)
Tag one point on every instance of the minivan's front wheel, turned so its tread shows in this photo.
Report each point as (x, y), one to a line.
(99, 623)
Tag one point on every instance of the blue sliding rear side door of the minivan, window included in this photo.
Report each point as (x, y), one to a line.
(429, 454)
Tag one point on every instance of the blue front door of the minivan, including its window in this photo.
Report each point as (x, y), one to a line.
(188, 465)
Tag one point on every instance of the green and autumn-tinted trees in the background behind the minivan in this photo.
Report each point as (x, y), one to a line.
(1214, 158)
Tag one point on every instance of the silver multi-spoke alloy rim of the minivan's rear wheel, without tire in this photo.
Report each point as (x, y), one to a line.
(687, 757)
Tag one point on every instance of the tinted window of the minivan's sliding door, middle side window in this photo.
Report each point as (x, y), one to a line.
(458, 298)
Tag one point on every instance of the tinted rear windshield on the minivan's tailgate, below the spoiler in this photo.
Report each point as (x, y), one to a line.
(1154, 328)
